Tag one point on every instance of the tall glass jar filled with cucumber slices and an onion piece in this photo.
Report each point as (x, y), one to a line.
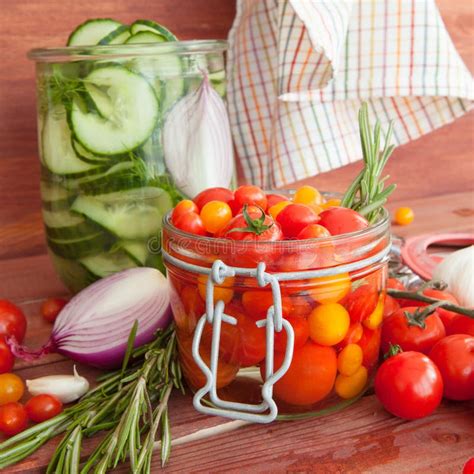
(126, 128)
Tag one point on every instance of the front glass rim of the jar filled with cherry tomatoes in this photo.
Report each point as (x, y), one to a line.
(381, 225)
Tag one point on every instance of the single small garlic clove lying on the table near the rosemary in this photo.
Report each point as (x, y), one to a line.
(67, 388)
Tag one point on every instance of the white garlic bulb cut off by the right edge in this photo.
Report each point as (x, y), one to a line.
(457, 270)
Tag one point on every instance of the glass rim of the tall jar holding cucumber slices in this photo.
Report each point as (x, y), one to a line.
(83, 53)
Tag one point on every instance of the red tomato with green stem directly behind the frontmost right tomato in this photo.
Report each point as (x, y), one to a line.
(398, 329)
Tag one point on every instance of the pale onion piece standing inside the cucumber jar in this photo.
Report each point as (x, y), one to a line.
(197, 141)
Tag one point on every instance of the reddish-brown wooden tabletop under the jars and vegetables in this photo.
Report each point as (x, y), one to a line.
(361, 438)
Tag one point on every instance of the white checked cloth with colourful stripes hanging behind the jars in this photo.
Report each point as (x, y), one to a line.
(299, 69)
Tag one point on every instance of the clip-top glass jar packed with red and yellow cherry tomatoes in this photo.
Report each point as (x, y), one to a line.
(332, 293)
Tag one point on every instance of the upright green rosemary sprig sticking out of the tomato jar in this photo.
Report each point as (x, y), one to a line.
(367, 193)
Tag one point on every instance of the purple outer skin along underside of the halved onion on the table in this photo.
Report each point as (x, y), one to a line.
(113, 358)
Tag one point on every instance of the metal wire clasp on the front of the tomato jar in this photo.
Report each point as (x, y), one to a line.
(266, 411)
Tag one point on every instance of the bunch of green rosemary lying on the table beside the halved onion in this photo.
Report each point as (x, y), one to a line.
(121, 405)
